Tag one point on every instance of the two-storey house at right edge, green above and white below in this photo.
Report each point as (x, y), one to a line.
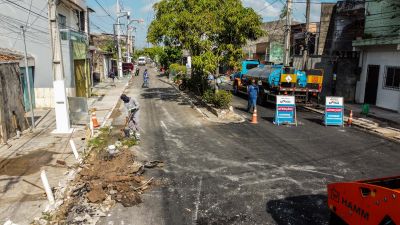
(379, 82)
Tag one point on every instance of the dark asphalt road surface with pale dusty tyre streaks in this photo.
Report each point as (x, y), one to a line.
(243, 173)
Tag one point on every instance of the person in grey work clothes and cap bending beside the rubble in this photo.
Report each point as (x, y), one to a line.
(132, 120)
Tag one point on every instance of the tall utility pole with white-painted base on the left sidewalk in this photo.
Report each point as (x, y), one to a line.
(60, 96)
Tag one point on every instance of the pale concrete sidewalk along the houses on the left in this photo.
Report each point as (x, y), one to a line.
(21, 194)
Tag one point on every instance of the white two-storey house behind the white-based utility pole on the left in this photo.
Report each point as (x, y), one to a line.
(73, 24)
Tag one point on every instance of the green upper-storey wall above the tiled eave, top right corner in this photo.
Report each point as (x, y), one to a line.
(382, 18)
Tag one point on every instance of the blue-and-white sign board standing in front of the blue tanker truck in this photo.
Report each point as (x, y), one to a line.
(285, 110)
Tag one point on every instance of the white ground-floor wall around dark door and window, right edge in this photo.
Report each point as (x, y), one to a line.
(383, 56)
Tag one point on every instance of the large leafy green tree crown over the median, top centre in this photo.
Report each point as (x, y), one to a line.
(212, 30)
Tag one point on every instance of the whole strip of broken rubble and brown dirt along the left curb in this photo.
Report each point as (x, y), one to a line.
(110, 175)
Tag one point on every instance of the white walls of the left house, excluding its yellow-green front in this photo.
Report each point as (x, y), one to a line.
(38, 43)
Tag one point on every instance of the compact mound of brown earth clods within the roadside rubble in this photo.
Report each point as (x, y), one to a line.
(120, 177)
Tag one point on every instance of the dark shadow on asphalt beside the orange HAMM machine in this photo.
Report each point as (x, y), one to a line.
(298, 210)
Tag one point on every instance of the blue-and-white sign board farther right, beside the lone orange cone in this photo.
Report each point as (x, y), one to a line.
(334, 110)
